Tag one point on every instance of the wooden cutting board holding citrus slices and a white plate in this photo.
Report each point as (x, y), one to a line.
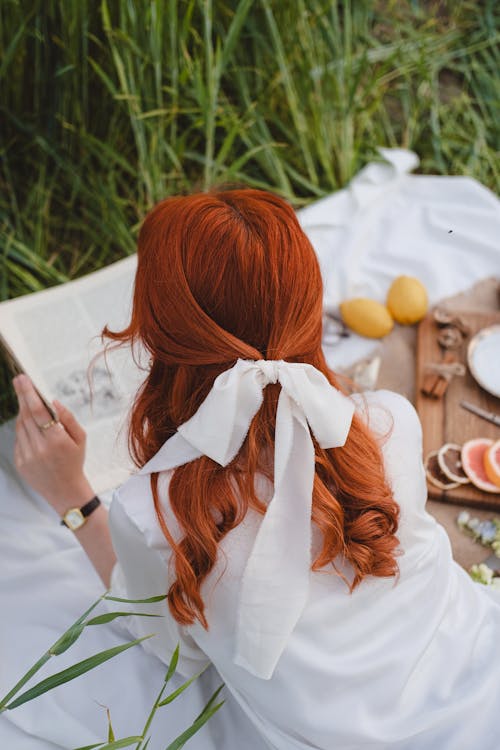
(444, 420)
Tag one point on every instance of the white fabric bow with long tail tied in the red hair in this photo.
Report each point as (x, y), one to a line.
(275, 583)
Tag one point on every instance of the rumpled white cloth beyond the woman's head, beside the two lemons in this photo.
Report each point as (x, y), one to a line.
(442, 229)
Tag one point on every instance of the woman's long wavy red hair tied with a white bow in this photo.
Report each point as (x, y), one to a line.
(222, 276)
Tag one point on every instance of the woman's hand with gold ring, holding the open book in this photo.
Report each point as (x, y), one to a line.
(51, 459)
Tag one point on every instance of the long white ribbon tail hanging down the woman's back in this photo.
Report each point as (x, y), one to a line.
(275, 584)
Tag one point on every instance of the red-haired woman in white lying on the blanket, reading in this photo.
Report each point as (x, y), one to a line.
(285, 519)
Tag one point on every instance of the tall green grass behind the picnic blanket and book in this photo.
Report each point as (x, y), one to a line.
(106, 107)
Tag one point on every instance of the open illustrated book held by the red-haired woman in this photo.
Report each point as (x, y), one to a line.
(52, 335)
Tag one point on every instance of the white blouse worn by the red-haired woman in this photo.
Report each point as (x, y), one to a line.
(407, 663)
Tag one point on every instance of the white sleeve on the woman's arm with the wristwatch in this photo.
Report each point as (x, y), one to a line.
(139, 573)
